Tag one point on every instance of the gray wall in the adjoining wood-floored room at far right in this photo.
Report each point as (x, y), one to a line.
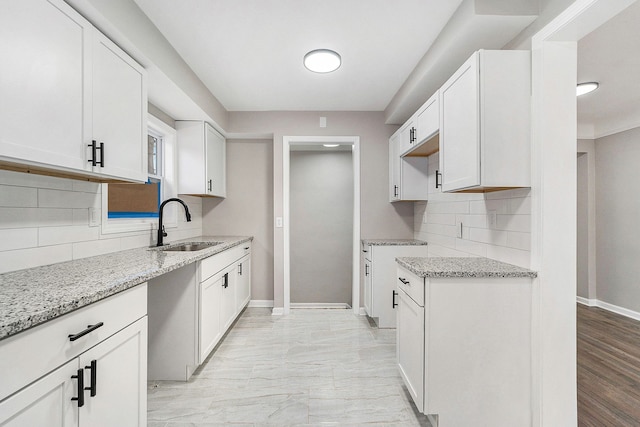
(618, 211)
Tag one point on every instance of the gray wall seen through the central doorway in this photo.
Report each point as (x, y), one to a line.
(321, 209)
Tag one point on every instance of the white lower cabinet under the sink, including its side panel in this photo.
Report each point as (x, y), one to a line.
(191, 308)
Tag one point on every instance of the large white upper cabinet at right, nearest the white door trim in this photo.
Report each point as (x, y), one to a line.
(485, 123)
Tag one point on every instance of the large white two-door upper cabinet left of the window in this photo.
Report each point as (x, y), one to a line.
(63, 85)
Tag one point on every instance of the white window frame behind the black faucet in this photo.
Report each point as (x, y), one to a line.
(168, 187)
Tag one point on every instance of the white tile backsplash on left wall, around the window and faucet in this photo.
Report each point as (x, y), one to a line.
(44, 220)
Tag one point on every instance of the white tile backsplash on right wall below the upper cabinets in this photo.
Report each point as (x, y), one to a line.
(494, 225)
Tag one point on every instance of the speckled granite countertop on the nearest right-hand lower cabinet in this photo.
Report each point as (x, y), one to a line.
(462, 267)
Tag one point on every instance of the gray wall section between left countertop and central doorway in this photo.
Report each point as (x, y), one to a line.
(248, 208)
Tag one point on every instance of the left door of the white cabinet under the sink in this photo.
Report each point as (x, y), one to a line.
(210, 304)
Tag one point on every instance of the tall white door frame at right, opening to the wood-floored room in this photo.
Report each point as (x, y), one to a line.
(553, 207)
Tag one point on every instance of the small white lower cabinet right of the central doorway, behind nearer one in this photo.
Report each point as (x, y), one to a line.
(380, 291)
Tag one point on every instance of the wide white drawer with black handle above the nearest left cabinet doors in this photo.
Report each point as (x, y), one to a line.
(43, 348)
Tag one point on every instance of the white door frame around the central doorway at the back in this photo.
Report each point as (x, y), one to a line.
(287, 142)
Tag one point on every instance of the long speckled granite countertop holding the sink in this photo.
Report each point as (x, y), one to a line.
(35, 295)
